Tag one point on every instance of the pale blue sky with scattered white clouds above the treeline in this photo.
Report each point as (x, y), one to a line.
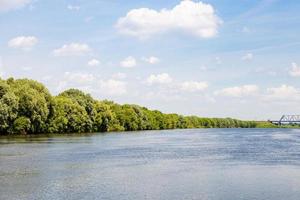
(211, 58)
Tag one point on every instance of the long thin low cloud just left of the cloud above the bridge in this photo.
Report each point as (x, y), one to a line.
(239, 91)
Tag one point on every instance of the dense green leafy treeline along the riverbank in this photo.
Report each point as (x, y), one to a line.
(27, 107)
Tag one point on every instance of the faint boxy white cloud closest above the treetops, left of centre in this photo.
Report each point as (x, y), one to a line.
(113, 87)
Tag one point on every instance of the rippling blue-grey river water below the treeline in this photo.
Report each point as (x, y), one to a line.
(215, 164)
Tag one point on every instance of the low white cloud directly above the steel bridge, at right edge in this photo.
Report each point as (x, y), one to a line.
(284, 92)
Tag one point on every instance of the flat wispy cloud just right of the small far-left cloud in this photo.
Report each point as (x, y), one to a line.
(73, 49)
